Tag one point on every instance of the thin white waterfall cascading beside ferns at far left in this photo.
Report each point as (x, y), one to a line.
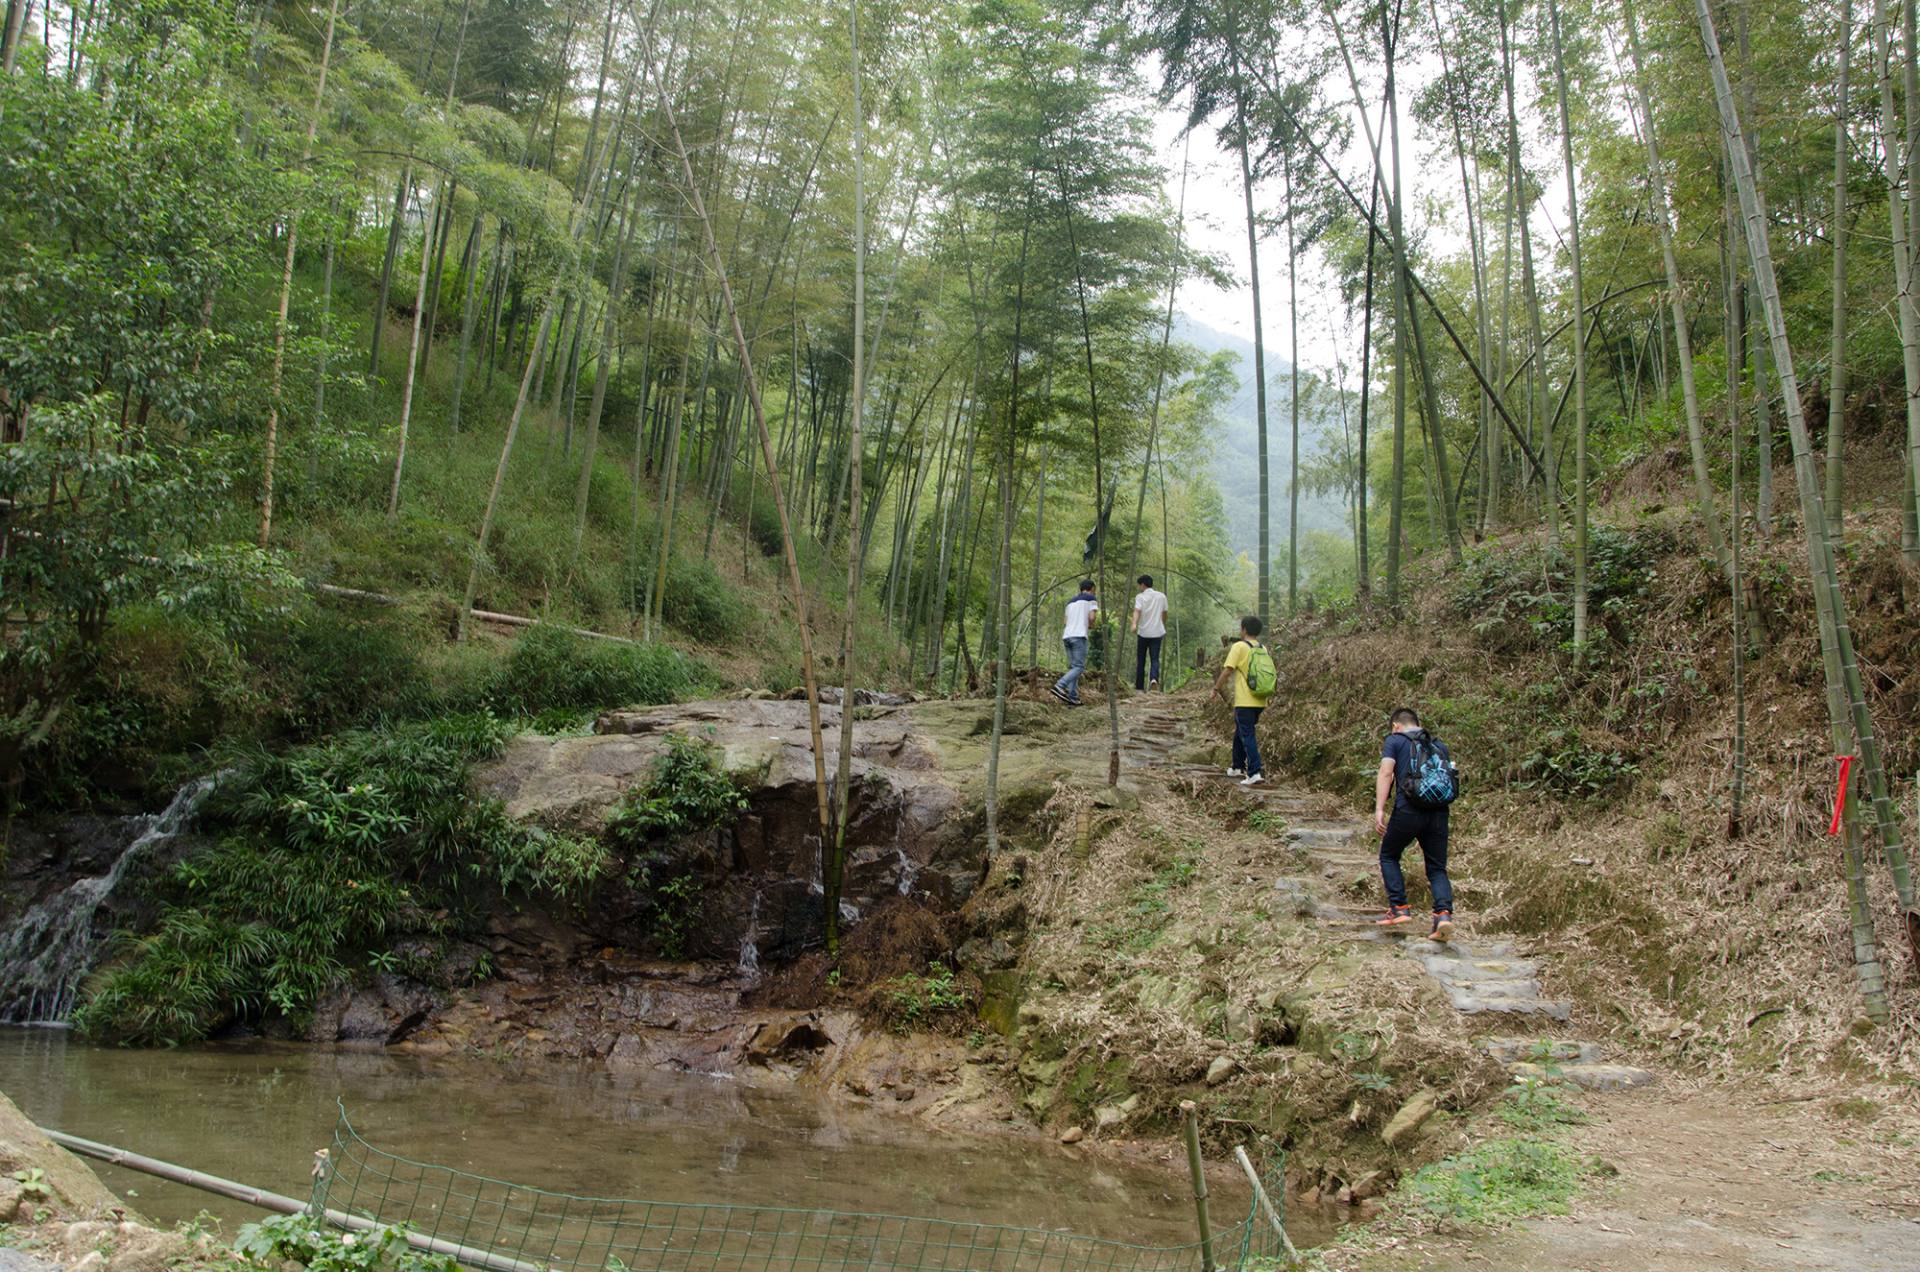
(47, 952)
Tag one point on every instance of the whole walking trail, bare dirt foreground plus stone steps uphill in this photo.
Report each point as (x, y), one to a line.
(1708, 1177)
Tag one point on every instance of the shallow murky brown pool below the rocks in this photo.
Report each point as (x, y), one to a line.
(256, 1113)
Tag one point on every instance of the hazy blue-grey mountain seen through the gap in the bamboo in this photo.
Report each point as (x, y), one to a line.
(1237, 451)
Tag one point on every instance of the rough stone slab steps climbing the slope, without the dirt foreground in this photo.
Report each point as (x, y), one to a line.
(1339, 885)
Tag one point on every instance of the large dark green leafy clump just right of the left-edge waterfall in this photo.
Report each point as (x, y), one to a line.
(327, 854)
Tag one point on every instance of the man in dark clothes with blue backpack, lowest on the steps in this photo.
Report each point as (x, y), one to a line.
(1424, 781)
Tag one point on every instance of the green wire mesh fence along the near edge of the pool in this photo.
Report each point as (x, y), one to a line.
(506, 1227)
